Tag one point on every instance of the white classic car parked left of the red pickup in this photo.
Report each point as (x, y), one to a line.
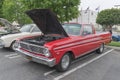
(8, 39)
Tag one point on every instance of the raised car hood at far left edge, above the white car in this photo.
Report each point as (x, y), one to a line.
(8, 25)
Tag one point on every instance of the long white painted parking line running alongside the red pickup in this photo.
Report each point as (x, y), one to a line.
(80, 66)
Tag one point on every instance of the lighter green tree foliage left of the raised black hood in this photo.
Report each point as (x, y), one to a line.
(14, 11)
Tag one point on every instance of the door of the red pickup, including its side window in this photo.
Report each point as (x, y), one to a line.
(88, 38)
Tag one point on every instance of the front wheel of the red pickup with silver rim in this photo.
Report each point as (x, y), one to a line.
(64, 63)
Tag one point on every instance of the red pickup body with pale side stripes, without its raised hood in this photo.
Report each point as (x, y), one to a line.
(76, 45)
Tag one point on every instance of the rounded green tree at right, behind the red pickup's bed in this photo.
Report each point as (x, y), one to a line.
(108, 17)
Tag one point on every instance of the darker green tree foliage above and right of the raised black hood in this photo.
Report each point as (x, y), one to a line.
(65, 9)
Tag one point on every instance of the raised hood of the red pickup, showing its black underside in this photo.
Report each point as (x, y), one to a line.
(47, 21)
